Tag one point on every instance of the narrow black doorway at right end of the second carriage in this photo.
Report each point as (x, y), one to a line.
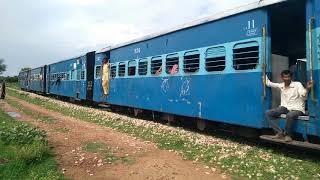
(90, 75)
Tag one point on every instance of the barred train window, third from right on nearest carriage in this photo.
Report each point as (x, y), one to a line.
(191, 61)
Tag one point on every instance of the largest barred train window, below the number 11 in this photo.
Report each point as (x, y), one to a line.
(246, 56)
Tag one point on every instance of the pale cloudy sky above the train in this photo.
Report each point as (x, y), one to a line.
(38, 32)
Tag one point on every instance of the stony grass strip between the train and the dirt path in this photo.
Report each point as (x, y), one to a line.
(233, 157)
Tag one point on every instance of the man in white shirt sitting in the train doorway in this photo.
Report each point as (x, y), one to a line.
(293, 97)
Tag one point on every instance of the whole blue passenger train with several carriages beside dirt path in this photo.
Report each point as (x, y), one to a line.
(219, 64)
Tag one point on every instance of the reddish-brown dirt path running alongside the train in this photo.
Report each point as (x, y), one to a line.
(122, 156)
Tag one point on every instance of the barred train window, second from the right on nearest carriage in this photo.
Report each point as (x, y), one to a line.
(216, 59)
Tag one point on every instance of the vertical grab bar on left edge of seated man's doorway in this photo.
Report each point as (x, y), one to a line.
(264, 65)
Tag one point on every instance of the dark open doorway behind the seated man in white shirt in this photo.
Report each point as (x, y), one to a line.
(288, 42)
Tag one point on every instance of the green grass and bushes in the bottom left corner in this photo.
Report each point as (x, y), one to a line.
(24, 152)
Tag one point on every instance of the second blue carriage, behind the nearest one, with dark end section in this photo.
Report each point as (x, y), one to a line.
(72, 78)
